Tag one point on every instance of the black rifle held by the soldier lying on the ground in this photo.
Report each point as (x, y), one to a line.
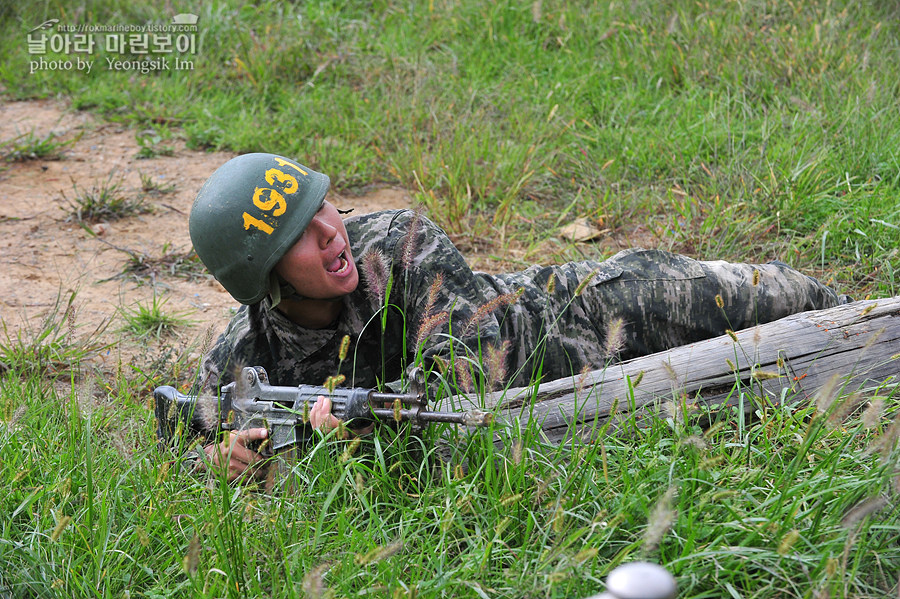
(251, 402)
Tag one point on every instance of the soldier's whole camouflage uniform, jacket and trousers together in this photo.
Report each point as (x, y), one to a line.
(542, 323)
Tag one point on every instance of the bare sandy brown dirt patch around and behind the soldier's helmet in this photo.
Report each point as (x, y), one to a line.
(47, 254)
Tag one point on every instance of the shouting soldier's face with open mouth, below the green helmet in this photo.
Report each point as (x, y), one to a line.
(319, 265)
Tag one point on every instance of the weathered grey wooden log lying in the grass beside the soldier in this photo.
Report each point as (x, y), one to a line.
(857, 345)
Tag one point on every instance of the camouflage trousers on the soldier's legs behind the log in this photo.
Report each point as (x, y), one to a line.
(666, 300)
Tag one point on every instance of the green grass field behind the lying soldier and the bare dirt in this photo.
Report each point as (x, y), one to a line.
(741, 130)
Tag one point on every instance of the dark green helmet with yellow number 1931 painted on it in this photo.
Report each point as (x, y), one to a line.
(248, 214)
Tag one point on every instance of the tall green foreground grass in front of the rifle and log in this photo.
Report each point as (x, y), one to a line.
(795, 504)
